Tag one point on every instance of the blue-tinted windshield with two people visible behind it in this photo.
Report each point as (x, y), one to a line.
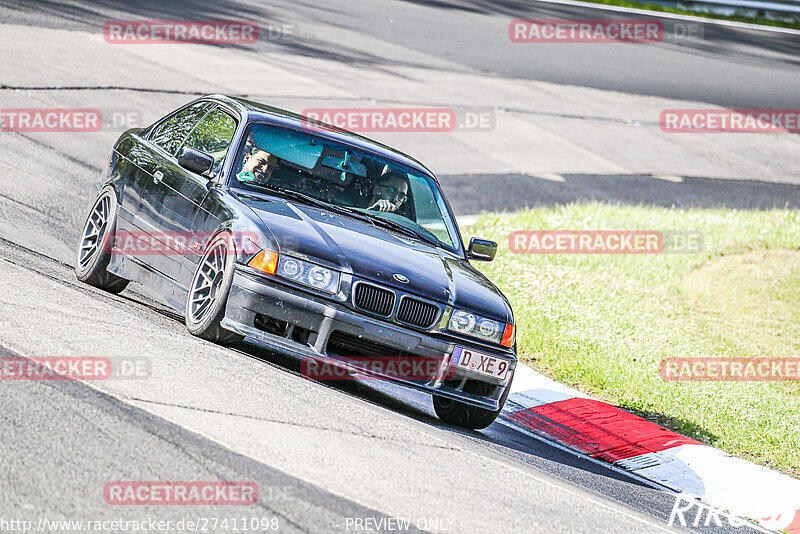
(274, 159)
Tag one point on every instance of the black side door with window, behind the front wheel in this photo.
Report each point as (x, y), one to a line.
(175, 194)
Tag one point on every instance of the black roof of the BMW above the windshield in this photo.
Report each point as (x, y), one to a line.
(252, 111)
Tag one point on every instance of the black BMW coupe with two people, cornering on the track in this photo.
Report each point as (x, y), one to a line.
(254, 222)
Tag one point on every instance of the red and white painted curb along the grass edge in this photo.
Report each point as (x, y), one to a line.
(682, 465)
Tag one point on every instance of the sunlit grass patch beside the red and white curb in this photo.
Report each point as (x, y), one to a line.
(603, 323)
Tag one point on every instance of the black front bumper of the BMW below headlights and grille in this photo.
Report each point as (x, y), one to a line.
(253, 298)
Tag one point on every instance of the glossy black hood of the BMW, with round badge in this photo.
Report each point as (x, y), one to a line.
(377, 254)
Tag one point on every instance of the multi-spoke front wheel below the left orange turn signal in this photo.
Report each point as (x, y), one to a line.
(208, 292)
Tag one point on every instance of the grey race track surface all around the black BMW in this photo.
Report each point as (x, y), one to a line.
(324, 455)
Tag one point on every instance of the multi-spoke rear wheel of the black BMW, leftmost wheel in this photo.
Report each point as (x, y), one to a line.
(94, 247)
